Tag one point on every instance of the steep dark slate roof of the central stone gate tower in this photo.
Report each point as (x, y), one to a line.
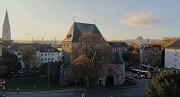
(77, 29)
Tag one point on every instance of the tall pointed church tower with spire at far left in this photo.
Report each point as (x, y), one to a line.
(6, 32)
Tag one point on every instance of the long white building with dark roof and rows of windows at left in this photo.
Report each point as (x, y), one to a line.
(44, 53)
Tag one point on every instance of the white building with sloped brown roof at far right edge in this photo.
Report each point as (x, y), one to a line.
(172, 55)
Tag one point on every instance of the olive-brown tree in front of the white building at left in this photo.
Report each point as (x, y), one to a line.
(29, 55)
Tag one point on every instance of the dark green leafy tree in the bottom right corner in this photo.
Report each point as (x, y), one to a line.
(165, 84)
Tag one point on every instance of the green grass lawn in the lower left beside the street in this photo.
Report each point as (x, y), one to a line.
(27, 84)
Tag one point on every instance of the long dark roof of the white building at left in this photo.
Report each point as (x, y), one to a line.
(38, 47)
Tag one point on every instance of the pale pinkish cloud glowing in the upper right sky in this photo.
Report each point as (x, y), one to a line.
(141, 19)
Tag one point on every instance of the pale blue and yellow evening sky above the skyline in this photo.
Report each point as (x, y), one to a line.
(116, 19)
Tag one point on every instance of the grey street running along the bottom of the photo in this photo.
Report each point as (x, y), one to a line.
(138, 90)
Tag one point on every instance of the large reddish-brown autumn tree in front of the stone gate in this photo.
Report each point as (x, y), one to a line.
(91, 52)
